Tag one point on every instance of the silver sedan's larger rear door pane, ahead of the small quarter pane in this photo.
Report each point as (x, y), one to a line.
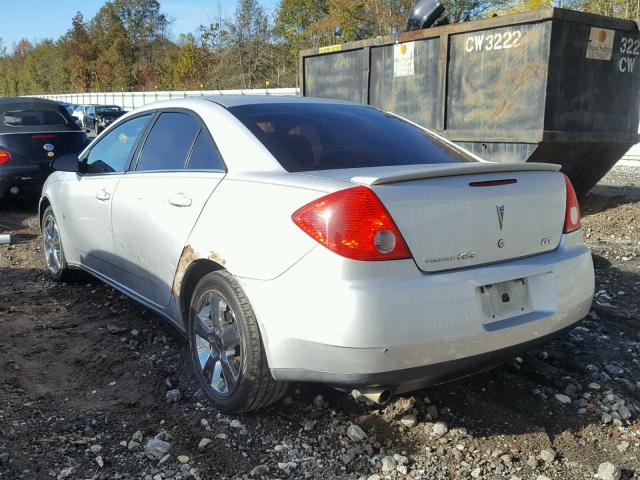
(169, 142)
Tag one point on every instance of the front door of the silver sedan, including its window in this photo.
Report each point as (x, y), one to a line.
(86, 200)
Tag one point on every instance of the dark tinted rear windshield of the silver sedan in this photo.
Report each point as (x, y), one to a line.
(312, 136)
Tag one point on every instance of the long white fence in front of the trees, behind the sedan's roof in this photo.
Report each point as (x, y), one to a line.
(131, 100)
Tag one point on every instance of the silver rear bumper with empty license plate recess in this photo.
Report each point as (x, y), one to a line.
(387, 324)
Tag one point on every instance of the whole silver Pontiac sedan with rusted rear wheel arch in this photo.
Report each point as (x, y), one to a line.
(298, 239)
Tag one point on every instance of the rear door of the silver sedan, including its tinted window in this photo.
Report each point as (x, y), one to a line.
(158, 202)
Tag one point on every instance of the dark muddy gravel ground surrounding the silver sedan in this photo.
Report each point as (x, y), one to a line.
(94, 386)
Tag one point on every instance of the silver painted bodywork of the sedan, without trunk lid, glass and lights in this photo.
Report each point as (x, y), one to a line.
(317, 311)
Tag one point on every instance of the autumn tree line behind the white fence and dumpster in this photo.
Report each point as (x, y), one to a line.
(128, 46)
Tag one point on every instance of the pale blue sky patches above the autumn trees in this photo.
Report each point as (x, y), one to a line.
(40, 19)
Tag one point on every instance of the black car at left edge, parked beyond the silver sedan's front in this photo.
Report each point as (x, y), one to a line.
(33, 132)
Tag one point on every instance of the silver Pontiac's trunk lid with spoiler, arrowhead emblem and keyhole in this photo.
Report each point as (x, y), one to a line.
(463, 215)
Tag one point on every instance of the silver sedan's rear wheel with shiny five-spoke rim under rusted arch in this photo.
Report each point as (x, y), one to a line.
(226, 347)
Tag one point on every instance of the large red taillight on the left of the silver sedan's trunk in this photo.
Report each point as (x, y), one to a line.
(353, 223)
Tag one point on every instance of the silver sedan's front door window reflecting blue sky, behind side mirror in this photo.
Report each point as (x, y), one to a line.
(111, 154)
